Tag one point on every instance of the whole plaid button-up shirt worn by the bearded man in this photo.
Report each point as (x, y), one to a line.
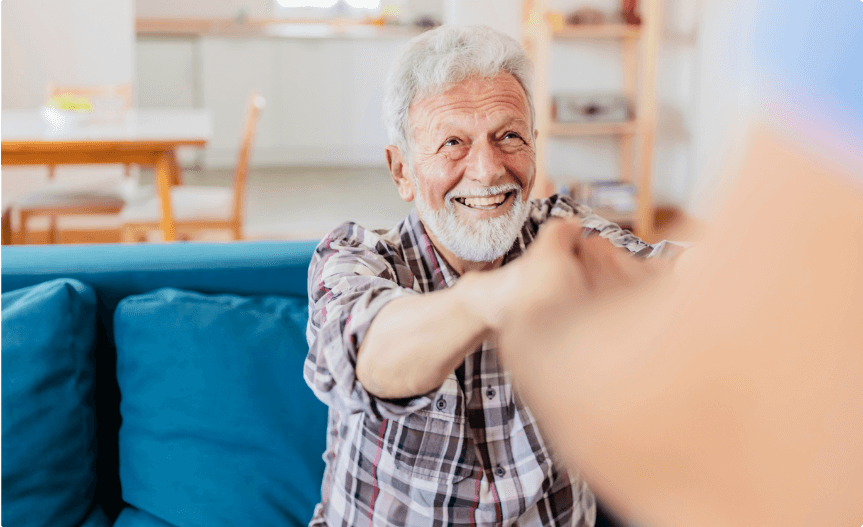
(469, 453)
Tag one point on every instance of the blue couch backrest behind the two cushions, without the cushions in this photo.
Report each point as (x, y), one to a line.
(116, 271)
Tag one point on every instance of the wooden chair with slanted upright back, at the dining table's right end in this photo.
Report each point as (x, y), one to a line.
(196, 208)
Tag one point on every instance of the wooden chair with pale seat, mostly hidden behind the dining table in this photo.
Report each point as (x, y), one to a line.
(58, 200)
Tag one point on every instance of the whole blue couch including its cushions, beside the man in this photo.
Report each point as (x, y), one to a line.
(158, 385)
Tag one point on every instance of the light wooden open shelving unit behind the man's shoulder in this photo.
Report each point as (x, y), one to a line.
(639, 45)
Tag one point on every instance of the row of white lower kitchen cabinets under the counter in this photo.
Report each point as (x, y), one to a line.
(324, 96)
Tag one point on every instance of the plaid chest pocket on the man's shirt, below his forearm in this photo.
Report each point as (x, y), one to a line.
(434, 444)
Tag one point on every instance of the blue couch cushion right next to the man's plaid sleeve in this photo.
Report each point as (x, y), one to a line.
(219, 427)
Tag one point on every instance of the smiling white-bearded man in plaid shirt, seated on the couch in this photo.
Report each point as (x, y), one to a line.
(425, 428)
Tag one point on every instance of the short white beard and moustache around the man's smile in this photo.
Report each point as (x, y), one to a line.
(479, 241)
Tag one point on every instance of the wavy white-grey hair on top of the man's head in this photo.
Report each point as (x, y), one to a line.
(441, 58)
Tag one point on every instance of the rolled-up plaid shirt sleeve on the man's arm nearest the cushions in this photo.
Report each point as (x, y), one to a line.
(350, 280)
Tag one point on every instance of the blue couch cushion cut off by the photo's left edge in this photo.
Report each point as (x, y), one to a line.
(48, 334)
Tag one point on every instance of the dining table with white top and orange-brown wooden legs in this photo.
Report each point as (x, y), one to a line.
(148, 137)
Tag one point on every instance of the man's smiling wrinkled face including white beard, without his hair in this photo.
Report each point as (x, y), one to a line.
(474, 164)
